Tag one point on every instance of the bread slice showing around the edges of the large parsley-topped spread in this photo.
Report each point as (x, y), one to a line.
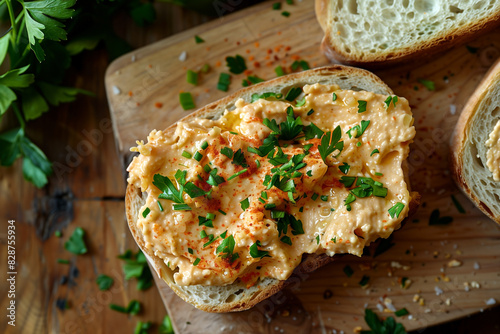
(236, 296)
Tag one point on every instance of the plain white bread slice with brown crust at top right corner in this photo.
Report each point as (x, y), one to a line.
(384, 32)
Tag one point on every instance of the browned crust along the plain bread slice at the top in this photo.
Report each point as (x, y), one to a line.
(420, 52)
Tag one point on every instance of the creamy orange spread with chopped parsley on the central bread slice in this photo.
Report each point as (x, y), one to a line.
(246, 195)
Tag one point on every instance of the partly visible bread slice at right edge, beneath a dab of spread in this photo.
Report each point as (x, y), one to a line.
(469, 152)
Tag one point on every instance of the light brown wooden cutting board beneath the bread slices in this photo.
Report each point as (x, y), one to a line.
(143, 89)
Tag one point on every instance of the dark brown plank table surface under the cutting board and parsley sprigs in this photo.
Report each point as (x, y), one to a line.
(87, 190)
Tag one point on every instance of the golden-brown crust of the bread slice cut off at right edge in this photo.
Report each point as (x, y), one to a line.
(461, 132)
